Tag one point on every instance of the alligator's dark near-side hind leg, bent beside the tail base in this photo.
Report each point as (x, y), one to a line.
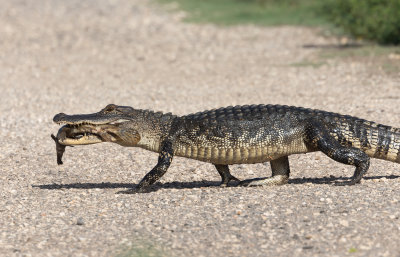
(319, 139)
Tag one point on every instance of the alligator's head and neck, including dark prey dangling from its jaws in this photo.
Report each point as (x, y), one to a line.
(123, 125)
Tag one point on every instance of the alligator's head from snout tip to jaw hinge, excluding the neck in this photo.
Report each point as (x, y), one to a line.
(108, 125)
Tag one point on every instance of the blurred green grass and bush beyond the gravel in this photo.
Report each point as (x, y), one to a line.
(372, 20)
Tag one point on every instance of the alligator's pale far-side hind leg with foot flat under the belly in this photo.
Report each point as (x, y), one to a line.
(280, 174)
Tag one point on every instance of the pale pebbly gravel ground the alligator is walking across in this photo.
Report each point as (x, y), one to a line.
(77, 56)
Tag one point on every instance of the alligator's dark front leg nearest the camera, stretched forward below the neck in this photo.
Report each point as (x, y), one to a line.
(164, 160)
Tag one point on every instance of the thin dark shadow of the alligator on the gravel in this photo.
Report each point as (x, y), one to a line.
(193, 184)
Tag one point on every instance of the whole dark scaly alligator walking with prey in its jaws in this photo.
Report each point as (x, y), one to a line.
(234, 135)
